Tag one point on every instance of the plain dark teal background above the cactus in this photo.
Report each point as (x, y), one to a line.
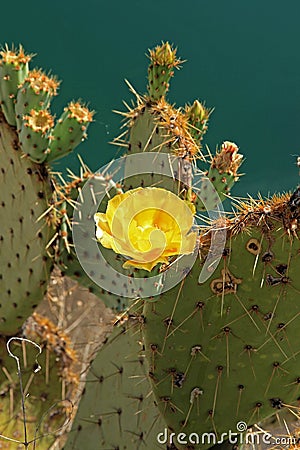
(243, 59)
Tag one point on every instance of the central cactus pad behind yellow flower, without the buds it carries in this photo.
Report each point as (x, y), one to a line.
(159, 127)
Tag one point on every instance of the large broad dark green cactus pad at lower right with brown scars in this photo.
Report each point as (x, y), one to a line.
(228, 350)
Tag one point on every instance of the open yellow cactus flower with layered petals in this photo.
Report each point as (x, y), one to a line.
(147, 226)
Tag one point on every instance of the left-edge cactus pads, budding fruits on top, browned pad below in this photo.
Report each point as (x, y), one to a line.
(34, 224)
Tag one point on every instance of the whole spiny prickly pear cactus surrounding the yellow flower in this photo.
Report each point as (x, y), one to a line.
(217, 354)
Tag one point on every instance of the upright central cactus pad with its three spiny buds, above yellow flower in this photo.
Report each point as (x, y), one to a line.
(154, 125)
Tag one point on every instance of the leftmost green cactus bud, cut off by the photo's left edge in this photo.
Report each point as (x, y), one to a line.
(13, 71)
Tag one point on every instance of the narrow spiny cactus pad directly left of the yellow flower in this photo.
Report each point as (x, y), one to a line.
(66, 256)
